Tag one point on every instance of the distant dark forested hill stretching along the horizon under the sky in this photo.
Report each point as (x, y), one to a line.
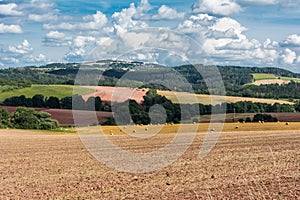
(237, 80)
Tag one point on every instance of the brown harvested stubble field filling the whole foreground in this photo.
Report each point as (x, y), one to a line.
(243, 165)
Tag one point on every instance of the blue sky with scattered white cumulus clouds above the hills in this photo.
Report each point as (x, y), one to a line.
(263, 33)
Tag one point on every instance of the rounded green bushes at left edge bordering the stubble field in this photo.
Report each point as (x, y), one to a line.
(24, 118)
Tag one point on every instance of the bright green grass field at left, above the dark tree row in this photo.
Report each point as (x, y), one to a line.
(58, 91)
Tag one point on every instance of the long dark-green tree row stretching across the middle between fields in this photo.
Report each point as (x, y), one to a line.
(152, 98)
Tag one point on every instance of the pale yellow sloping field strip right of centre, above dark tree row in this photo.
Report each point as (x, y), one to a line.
(189, 98)
